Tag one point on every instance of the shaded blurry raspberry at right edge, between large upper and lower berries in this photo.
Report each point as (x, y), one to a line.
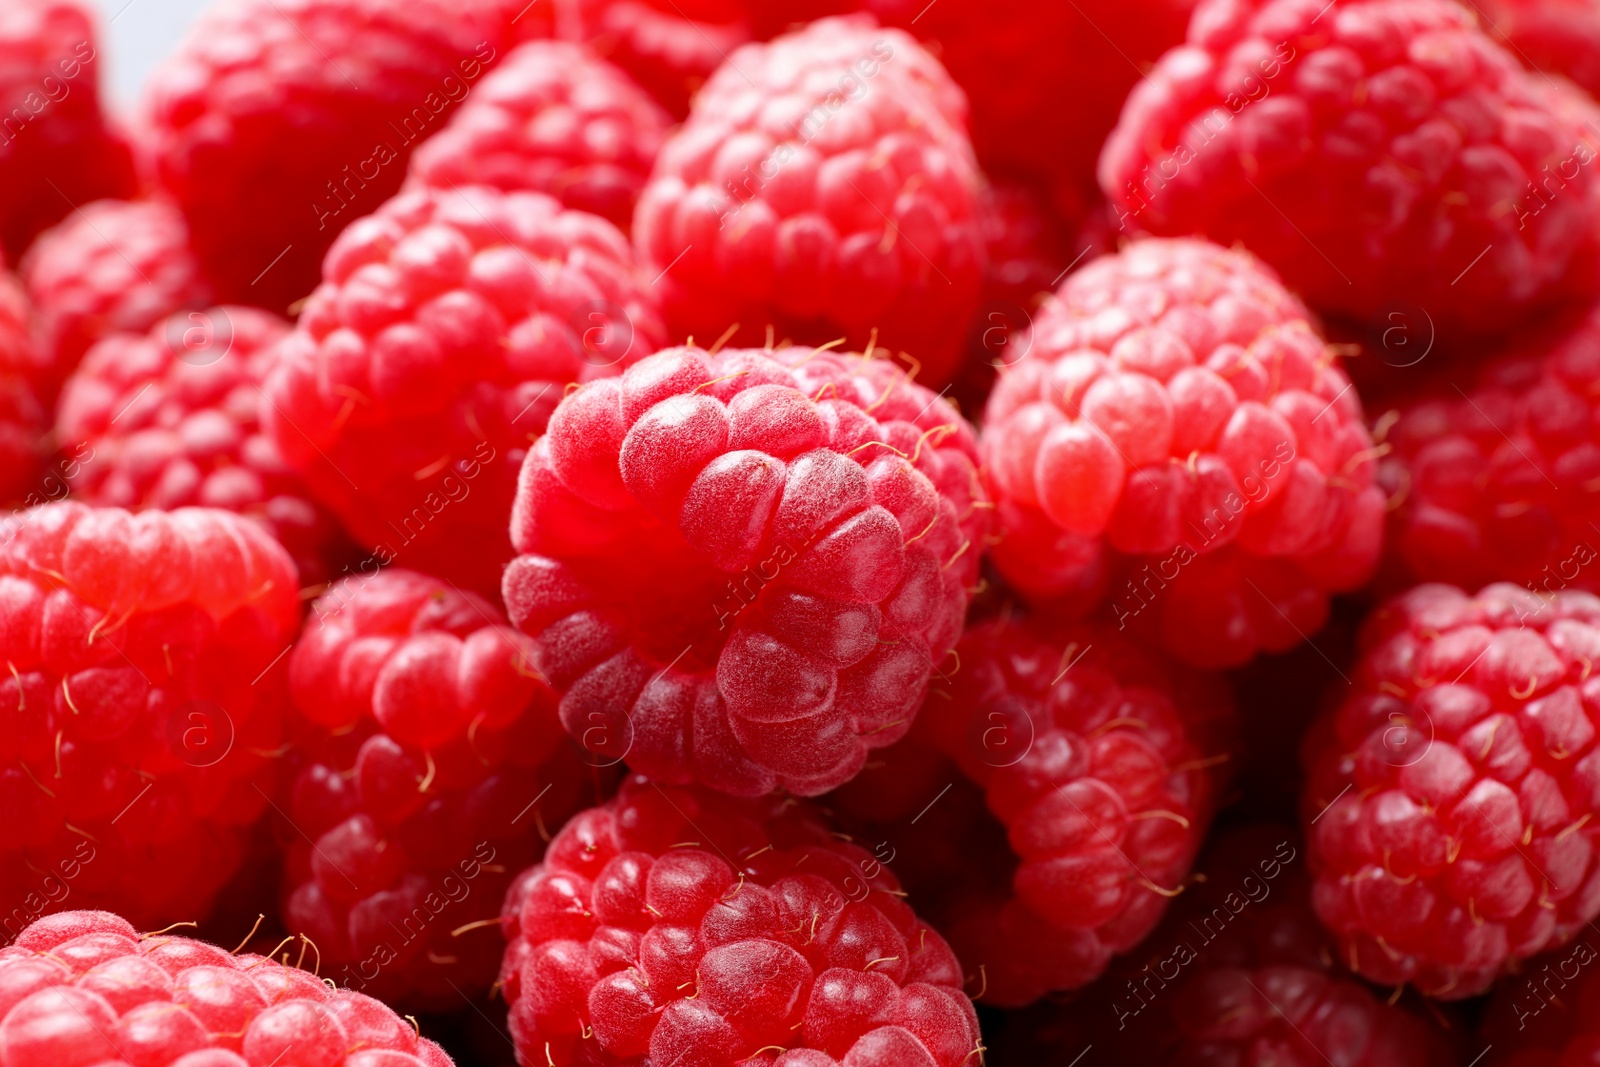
(1498, 478)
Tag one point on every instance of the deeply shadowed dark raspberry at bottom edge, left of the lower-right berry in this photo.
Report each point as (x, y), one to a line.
(1239, 973)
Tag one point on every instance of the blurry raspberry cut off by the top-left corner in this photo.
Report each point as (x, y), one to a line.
(57, 148)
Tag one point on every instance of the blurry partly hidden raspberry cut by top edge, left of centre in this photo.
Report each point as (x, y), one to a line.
(671, 47)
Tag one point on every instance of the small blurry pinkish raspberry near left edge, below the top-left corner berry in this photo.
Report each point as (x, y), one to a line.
(118, 266)
